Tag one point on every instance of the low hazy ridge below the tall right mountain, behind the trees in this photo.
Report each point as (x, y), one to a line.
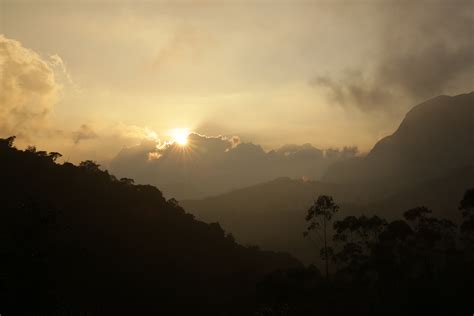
(272, 214)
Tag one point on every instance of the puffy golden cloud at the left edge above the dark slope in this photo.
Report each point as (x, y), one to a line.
(28, 89)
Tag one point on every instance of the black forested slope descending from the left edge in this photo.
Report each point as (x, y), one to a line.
(74, 239)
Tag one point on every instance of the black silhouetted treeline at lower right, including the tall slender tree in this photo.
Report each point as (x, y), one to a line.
(416, 265)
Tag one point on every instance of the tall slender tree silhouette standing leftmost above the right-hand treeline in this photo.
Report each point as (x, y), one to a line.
(319, 216)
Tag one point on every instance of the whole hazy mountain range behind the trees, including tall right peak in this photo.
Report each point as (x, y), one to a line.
(428, 161)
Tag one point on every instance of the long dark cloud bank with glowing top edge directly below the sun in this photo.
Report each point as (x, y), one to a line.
(212, 165)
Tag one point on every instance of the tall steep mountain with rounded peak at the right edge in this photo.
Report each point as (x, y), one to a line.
(435, 137)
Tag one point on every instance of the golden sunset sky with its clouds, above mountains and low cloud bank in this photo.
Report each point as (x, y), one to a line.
(91, 78)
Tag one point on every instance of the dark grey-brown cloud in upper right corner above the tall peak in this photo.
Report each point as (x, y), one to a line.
(424, 49)
